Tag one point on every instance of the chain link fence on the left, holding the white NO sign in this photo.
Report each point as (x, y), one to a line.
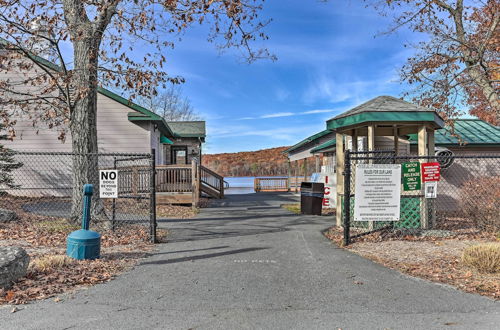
(43, 184)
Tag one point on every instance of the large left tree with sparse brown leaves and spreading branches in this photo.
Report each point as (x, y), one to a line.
(116, 43)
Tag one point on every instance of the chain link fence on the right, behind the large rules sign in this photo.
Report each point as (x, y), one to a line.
(466, 195)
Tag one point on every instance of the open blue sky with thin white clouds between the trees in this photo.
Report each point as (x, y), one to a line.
(330, 59)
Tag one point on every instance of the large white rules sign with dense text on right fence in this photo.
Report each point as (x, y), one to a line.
(378, 192)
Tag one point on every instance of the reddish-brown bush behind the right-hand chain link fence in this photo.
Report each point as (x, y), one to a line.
(480, 202)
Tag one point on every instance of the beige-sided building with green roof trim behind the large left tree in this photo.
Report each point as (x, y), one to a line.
(122, 126)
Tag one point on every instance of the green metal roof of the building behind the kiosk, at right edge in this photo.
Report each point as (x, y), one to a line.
(469, 131)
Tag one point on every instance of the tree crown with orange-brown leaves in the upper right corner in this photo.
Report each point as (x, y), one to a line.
(458, 65)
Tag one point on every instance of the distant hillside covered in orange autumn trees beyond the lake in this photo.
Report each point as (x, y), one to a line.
(252, 163)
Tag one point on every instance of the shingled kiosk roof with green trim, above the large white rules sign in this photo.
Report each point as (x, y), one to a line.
(384, 109)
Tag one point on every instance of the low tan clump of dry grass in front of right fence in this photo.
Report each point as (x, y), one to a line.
(484, 257)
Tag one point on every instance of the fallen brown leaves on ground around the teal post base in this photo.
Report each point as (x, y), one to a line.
(50, 272)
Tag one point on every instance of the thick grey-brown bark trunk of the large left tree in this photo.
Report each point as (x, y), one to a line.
(84, 129)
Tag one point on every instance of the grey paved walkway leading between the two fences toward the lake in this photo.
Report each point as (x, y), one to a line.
(248, 264)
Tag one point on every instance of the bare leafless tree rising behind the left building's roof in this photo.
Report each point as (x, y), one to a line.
(171, 105)
